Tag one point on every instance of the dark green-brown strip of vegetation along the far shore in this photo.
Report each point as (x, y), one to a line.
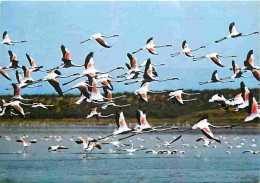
(159, 111)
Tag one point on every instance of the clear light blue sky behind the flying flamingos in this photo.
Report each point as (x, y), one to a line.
(48, 25)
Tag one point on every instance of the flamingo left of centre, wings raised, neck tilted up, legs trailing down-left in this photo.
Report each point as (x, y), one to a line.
(90, 69)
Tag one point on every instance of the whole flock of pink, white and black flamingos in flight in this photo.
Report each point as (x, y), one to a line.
(90, 90)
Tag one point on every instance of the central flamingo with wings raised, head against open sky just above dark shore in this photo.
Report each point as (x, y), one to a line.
(149, 75)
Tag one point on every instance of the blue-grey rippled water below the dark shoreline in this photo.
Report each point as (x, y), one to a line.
(196, 165)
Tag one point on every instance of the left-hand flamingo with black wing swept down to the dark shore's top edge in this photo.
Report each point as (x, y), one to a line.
(51, 78)
